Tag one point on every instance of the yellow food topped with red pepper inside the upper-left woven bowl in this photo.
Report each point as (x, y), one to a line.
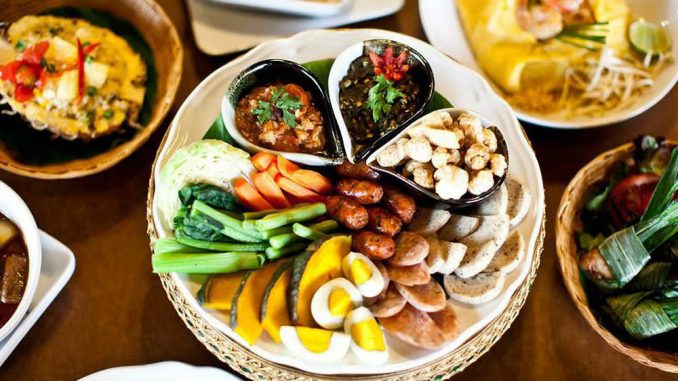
(76, 79)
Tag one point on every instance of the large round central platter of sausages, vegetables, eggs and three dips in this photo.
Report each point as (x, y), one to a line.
(303, 234)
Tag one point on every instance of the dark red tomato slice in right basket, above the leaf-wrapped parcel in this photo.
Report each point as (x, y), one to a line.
(630, 197)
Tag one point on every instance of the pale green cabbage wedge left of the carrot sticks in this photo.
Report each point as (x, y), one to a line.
(205, 161)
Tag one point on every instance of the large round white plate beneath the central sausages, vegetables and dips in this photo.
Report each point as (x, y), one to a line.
(463, 87)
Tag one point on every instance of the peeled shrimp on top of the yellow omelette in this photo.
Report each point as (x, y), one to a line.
(542, 20)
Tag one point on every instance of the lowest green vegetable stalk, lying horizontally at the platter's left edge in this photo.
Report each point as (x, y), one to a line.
(214, 263)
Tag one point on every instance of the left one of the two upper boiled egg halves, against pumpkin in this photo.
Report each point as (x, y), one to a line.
(333, 301)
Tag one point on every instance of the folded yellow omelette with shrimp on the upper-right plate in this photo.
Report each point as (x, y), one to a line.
(521, 44)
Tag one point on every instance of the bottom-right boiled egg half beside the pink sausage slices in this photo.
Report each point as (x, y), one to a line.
(368, 343)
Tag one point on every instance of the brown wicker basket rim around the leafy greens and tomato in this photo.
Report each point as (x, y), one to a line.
(567, 223)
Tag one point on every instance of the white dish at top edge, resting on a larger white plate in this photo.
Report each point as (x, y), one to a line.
(313, 8)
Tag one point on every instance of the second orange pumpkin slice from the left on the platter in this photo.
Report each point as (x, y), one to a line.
(247, 300)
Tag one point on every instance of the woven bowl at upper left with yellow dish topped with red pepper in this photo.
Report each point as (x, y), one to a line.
(82, 86)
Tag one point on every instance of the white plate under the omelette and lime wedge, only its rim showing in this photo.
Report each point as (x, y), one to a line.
(445, 31)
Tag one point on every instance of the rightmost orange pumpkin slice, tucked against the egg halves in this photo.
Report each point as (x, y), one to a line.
(320, 263)
